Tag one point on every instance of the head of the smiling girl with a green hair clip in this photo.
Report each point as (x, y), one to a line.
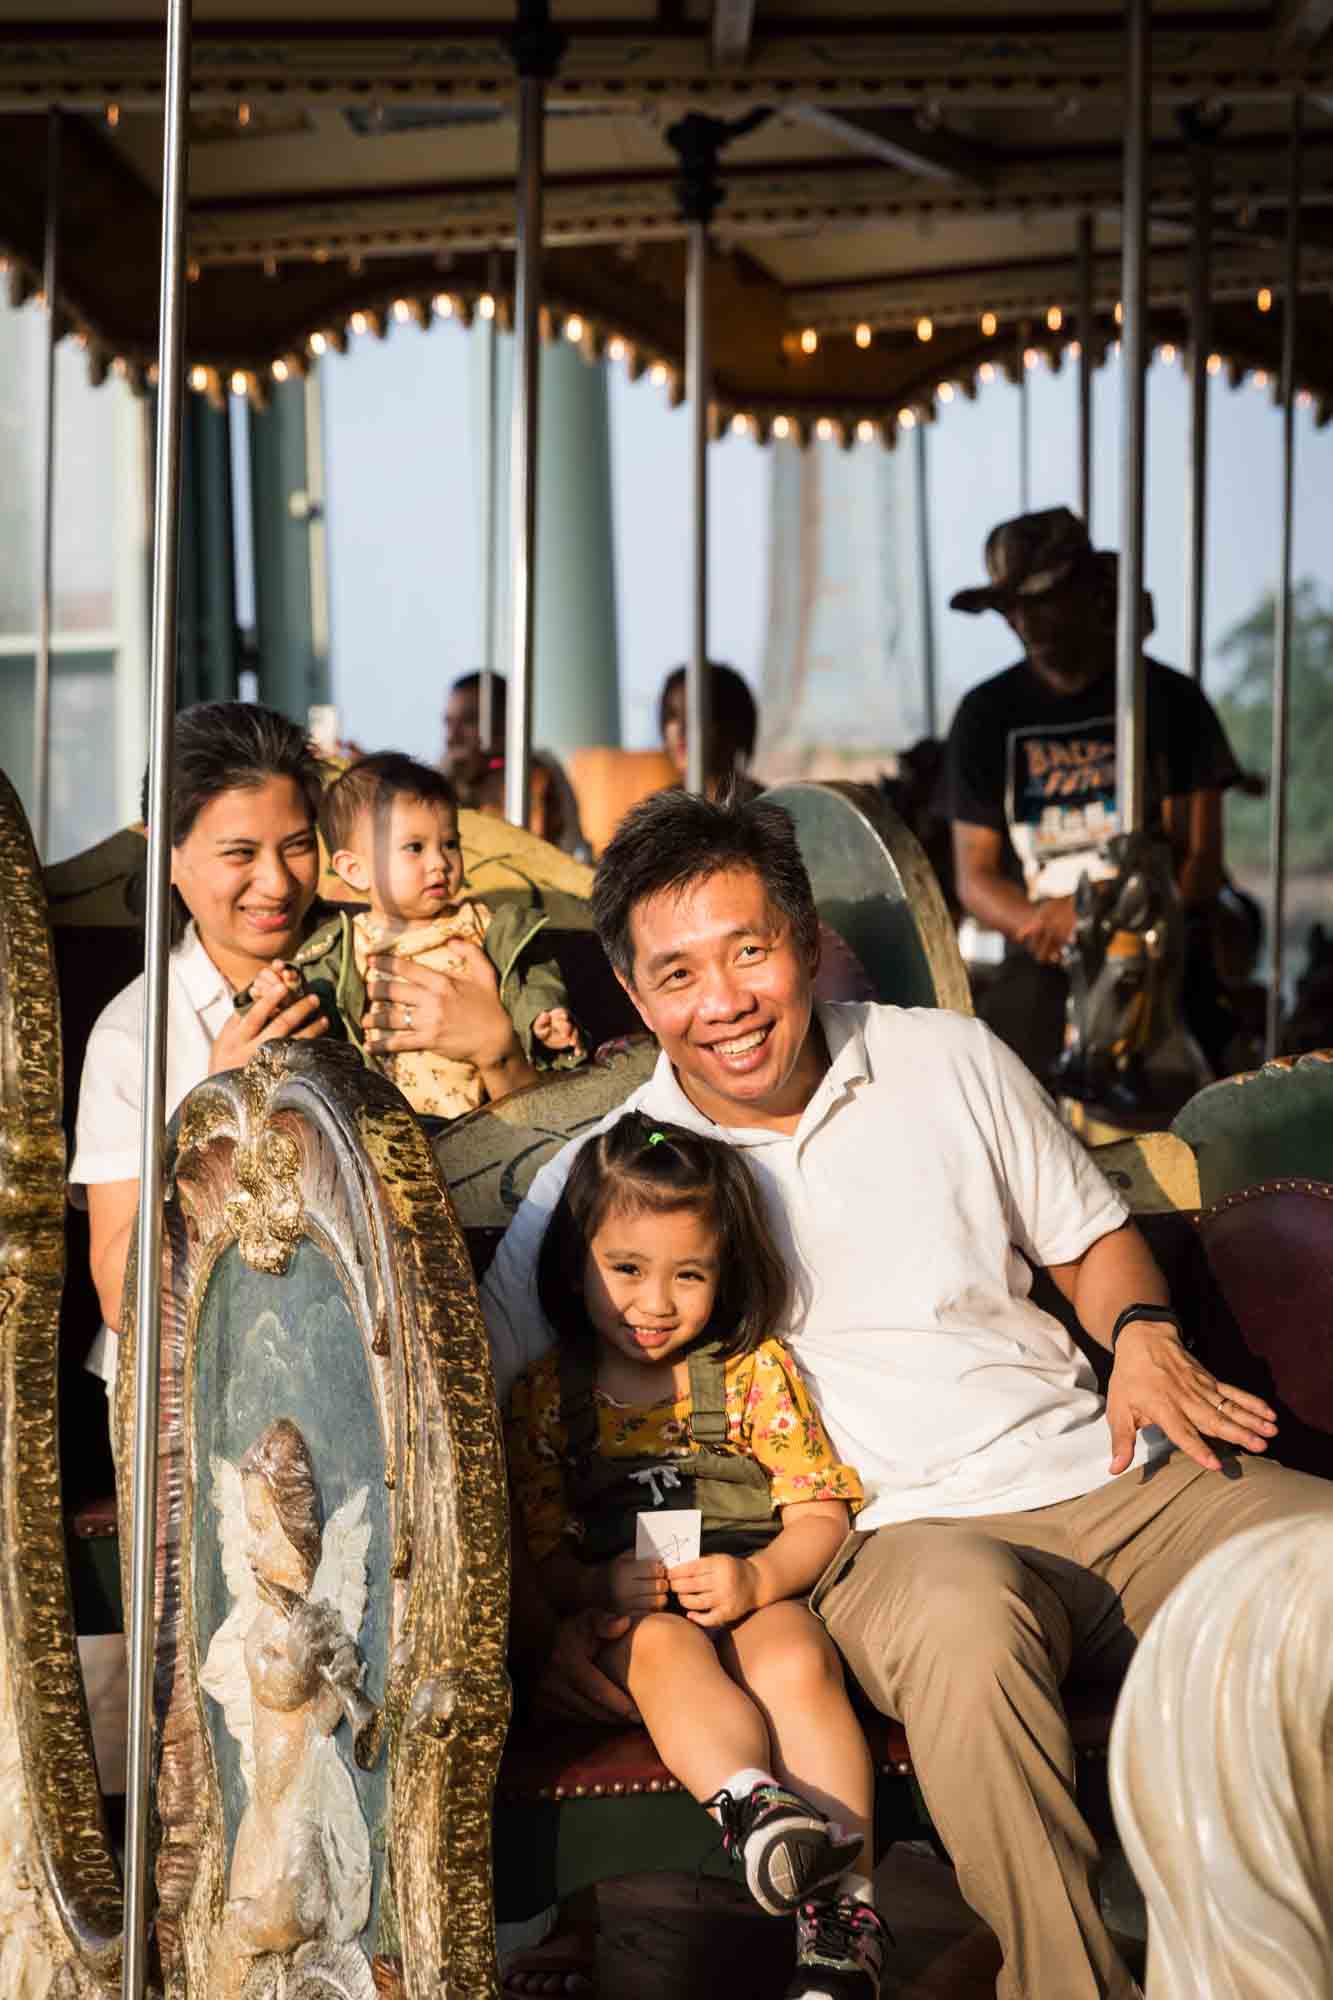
(710, 1267)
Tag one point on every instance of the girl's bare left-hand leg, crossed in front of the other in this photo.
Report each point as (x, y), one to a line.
(706, 1727)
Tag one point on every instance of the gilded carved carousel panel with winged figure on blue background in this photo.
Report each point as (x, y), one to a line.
(333, 1563)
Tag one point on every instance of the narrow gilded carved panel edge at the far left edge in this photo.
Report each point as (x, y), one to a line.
(59, 1881)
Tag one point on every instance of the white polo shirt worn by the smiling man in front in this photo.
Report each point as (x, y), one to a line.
(926, 1163)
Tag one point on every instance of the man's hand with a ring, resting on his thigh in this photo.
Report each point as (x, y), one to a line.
(1156, 1381)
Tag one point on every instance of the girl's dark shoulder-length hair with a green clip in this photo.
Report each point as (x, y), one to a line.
(641, 1165)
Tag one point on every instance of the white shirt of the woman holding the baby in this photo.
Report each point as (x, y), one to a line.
(199, 1005)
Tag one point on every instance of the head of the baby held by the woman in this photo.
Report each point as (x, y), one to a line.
(391, 829)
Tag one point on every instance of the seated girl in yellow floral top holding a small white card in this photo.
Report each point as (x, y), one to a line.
(670, 1391)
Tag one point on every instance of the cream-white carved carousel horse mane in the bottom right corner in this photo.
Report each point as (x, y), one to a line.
(1220, 1773)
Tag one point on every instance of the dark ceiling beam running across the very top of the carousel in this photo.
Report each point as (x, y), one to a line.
(844, 61)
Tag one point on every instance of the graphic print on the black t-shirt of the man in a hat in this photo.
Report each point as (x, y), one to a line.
(1060, 803)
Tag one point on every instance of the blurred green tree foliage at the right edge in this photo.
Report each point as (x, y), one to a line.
(1248, 717)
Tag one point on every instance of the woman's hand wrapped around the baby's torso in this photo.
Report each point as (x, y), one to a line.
(453, 1015)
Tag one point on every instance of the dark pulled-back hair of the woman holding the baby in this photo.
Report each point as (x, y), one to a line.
(227, 747)
